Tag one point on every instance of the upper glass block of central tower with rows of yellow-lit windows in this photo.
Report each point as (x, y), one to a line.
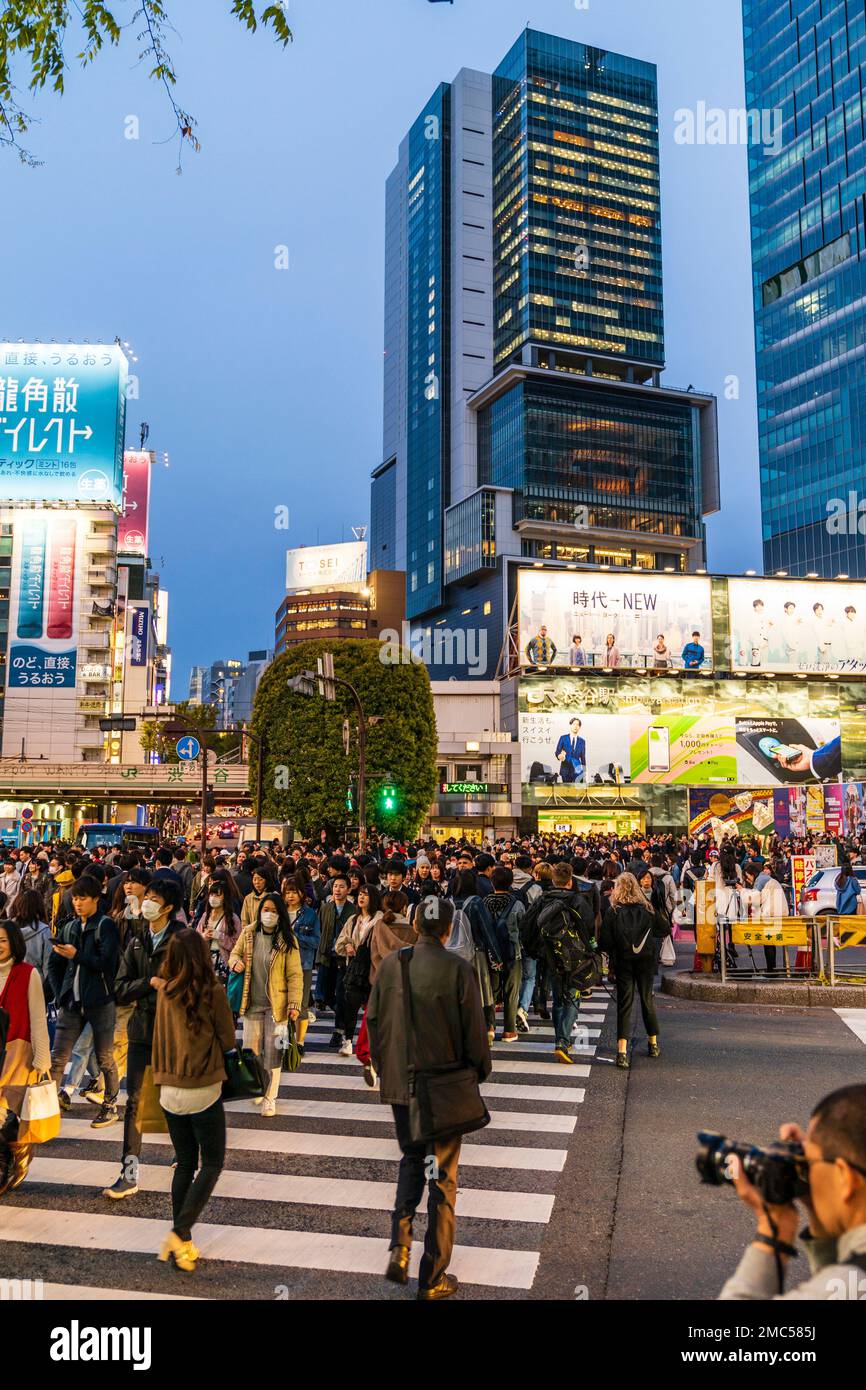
(578, 229)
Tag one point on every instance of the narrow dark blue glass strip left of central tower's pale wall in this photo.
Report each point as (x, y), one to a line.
(427, 351)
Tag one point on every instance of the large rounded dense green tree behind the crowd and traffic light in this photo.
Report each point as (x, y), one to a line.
(305, 740)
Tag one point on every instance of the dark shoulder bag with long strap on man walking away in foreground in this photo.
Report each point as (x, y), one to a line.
(443, 1102)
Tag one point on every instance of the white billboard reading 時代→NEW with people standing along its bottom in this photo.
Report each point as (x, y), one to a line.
(615, 622)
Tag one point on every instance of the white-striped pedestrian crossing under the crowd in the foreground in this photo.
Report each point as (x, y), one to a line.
(305, 1199)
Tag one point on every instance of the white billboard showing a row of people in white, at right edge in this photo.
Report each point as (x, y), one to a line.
(797, 626)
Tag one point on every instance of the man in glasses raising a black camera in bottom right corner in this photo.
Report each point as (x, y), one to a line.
(835, 1242)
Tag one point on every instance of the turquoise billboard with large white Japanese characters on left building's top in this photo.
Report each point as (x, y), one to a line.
(62, 423)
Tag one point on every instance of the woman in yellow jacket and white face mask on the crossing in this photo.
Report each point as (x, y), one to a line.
(269, 956)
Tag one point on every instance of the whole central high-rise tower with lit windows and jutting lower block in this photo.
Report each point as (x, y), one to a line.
(525, 416)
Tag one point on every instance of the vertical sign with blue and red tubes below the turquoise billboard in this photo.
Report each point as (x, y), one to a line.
(44, 601)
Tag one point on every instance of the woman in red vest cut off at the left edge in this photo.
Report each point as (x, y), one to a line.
(28, 1053)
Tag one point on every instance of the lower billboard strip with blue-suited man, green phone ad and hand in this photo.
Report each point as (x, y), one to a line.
(576, 732)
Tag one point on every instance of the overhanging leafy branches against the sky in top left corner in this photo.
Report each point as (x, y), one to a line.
(40, 33)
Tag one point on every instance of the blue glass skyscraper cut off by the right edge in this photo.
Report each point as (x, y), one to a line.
(806, 63)
